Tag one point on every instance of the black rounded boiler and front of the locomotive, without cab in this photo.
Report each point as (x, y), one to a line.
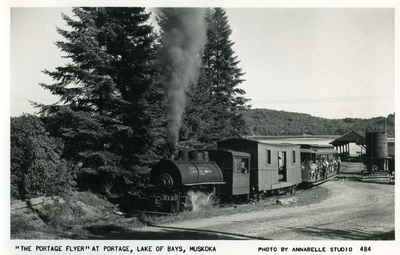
(173, 178)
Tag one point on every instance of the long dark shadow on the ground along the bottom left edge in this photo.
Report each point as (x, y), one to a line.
(114, 232)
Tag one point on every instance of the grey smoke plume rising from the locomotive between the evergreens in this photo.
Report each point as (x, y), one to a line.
(184, 36)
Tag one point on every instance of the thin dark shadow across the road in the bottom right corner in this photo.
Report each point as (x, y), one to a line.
(330, 234)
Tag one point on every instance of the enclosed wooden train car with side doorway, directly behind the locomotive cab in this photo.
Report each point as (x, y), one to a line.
(273, 166)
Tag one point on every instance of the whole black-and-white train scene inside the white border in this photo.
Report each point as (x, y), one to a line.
(202, 123)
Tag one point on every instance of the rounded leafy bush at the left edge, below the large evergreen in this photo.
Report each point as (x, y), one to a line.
(36, 166)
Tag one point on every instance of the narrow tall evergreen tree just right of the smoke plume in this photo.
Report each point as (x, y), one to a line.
(217, 103)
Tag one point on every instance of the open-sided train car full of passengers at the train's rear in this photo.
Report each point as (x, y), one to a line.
(319, 163)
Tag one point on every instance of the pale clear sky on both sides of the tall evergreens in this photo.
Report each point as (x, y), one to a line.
(331, 63)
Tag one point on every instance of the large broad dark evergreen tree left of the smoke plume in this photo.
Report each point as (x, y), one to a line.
(103, 113)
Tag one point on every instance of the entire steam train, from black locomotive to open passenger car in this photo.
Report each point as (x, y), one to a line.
(237, 170)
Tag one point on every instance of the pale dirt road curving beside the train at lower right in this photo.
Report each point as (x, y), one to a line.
(353, 211)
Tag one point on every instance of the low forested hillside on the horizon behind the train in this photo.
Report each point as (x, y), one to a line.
(272, 122)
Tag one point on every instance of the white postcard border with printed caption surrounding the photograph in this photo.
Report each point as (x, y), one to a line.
(223, 247)
